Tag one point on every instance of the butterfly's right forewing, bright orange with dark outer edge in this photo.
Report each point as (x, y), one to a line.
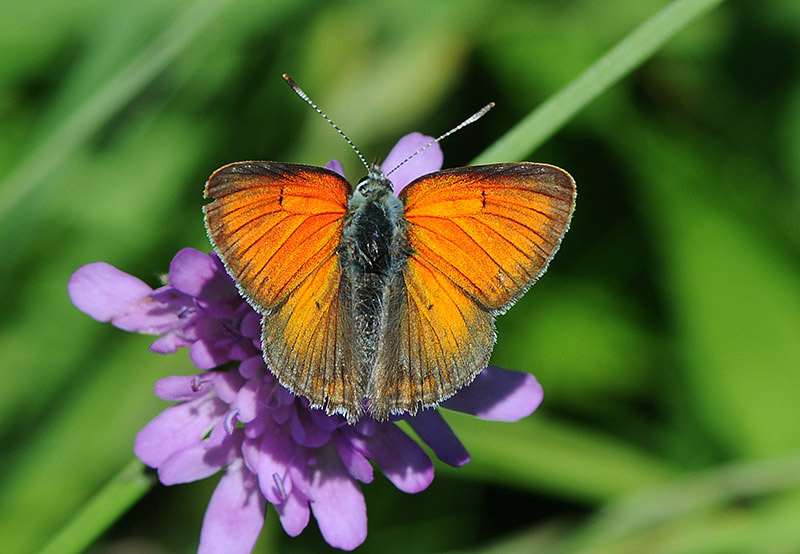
(492, 229)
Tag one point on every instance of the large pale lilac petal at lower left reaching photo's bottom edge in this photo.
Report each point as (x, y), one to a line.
(235, 514)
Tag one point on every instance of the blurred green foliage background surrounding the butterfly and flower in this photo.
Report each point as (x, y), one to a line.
(666, 333)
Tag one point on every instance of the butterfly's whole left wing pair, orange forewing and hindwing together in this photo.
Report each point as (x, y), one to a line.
(277, 227)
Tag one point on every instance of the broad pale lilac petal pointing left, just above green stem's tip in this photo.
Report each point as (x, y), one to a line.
(176, 428)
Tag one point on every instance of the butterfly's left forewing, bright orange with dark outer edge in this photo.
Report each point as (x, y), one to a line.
(274, 224)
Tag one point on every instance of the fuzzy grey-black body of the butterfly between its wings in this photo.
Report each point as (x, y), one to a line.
(374, 250)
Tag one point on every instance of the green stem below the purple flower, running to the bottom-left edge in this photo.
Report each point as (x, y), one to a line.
(113, 500)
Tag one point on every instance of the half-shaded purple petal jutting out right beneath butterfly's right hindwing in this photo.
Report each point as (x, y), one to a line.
(498, 394)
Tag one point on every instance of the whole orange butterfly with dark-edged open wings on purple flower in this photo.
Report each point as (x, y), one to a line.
(379, 303)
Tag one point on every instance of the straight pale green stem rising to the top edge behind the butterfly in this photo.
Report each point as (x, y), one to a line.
(626, 56)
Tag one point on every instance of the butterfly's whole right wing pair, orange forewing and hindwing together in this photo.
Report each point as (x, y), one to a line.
(480, 237)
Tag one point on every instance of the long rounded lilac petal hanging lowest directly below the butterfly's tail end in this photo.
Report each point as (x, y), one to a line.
(337, 502)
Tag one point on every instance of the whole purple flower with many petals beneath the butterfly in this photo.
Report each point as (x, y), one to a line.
(235, 415)
